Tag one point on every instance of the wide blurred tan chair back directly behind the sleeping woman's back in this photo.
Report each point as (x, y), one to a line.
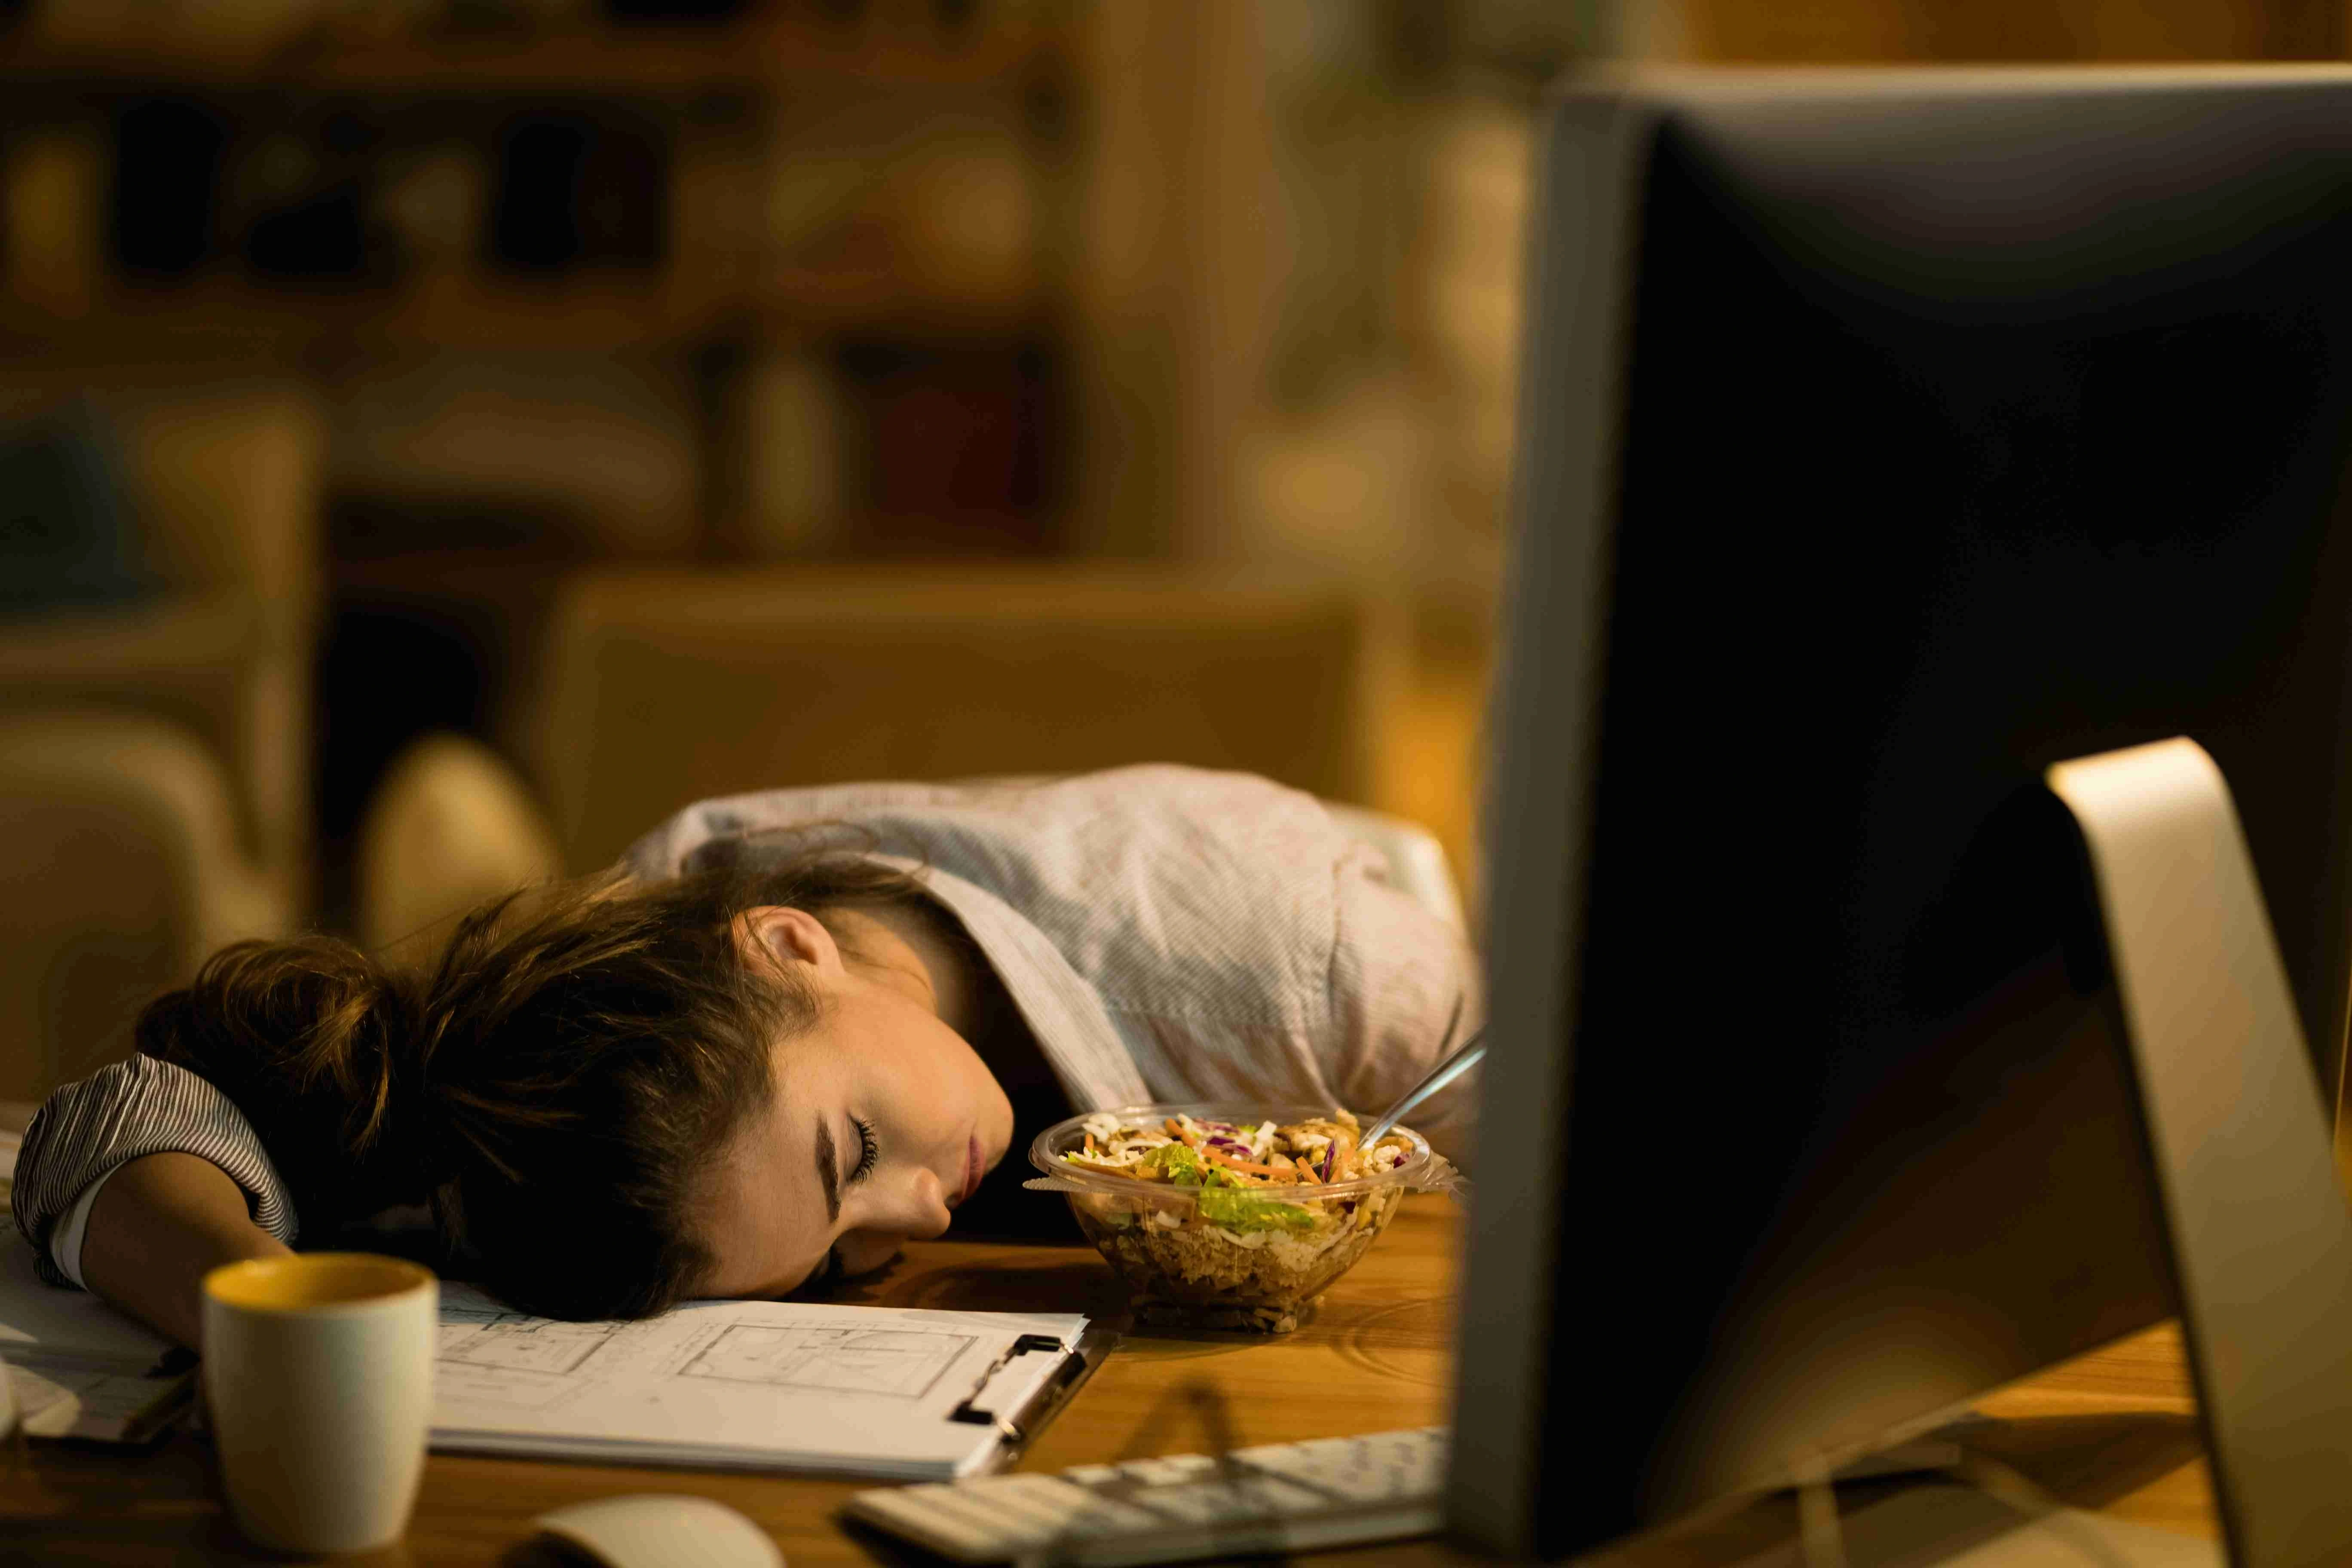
(664, 688)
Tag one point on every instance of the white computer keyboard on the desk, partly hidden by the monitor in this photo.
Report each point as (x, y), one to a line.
(1335, 1492)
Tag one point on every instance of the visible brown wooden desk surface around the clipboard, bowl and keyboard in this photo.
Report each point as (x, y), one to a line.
(2113, 1430)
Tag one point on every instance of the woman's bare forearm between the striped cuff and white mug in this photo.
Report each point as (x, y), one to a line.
(159, 1226)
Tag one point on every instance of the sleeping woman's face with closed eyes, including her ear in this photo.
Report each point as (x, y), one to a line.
(883, 1123)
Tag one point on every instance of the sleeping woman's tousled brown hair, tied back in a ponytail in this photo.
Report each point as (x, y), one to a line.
(556, 1087)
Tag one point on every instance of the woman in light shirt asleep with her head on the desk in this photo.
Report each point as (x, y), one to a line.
(789, 1033)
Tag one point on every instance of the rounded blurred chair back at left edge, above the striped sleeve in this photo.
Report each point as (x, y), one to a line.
(121, 869)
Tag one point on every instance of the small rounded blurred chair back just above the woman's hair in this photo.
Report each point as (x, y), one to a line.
(448, 829)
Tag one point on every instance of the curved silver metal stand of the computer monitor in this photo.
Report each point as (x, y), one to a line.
(2245, 1181)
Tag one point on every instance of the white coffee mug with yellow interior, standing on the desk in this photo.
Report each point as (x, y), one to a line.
(319, 1372)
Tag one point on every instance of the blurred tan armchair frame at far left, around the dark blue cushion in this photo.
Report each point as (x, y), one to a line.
(225, 488)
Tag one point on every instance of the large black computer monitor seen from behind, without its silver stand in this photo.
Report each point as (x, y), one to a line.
(1887, 438)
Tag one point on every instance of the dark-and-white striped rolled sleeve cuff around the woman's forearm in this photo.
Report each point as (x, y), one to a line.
(123, 1113)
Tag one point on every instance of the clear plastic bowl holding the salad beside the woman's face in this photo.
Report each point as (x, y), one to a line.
(1191, 1273)
